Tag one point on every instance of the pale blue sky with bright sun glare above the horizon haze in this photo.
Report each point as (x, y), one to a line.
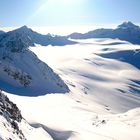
(67, 12)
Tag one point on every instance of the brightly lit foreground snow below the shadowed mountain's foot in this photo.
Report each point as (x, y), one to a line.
(66, 118)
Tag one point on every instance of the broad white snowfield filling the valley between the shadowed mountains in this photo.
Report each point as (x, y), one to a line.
(104, 98)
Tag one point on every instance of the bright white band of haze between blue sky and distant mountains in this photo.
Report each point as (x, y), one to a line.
(64, 30)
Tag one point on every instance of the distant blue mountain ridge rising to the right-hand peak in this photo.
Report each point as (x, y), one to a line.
(126, 31)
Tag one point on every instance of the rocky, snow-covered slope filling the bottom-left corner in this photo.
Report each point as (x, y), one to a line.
(13, 126)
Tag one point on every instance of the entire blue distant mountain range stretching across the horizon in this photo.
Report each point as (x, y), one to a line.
(126, 31)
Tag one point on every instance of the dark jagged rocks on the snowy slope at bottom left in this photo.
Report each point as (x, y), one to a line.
(13, 116)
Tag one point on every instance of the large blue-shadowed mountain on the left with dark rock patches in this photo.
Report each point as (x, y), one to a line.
(21, 72)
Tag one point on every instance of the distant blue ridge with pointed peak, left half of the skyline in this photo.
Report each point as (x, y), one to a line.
(33, 37)
